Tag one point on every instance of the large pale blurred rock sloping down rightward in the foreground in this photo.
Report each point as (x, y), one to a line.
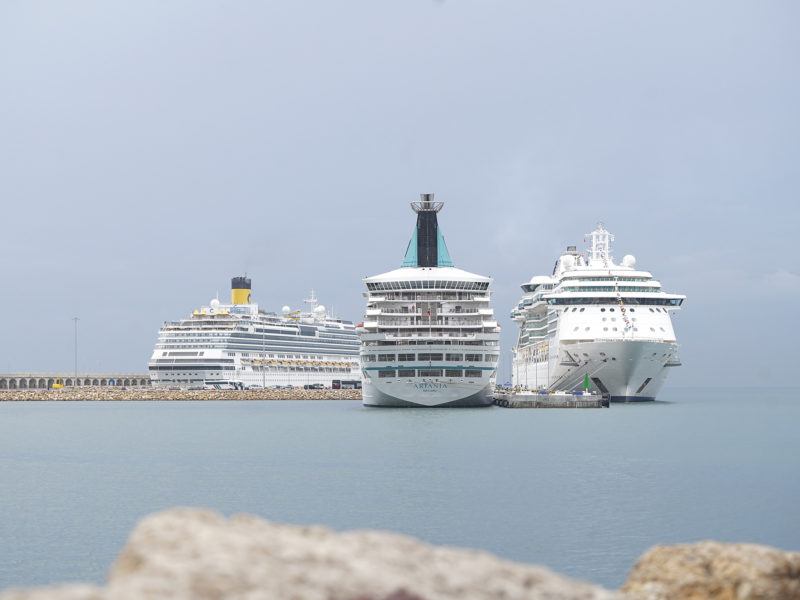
(200, 555)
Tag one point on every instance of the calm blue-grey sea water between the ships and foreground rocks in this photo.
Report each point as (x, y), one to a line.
(582, 491)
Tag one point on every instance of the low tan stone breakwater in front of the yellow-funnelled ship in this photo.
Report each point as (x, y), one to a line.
(152, 394)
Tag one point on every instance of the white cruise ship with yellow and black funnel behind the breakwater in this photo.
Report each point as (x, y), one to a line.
(239, 345)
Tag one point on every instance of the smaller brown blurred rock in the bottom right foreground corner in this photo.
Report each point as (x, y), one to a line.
(716, 571)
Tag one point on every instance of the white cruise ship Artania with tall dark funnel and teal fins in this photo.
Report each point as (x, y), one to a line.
(429, 337)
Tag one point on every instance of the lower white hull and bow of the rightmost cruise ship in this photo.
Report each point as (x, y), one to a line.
(625, 370)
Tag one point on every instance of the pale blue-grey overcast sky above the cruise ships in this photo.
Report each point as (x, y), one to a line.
(150, 151)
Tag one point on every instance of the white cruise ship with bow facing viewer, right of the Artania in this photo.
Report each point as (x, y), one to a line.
(595, 318)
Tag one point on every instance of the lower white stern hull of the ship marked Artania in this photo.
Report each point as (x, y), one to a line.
(426, 394)
